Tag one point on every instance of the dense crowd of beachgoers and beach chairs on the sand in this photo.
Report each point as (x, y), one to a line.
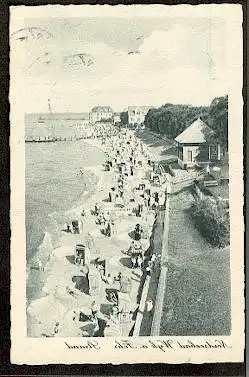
(136, 193)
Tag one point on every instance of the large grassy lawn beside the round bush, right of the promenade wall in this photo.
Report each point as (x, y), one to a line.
(197, 298)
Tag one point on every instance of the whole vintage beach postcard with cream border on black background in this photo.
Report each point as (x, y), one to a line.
(126, 184)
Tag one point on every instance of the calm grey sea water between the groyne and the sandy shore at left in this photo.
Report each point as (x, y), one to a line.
(54, 183)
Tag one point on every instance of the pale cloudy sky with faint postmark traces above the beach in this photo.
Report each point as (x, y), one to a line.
(82, 62)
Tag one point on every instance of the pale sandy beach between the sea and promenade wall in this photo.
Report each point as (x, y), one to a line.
(59, 300)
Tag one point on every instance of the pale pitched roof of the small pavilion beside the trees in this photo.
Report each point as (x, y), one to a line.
(195, 133)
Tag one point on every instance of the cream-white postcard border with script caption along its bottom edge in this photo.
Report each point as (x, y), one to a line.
(106, 350)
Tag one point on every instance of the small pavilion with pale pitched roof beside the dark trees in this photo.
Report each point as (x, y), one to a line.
(193, 146)
